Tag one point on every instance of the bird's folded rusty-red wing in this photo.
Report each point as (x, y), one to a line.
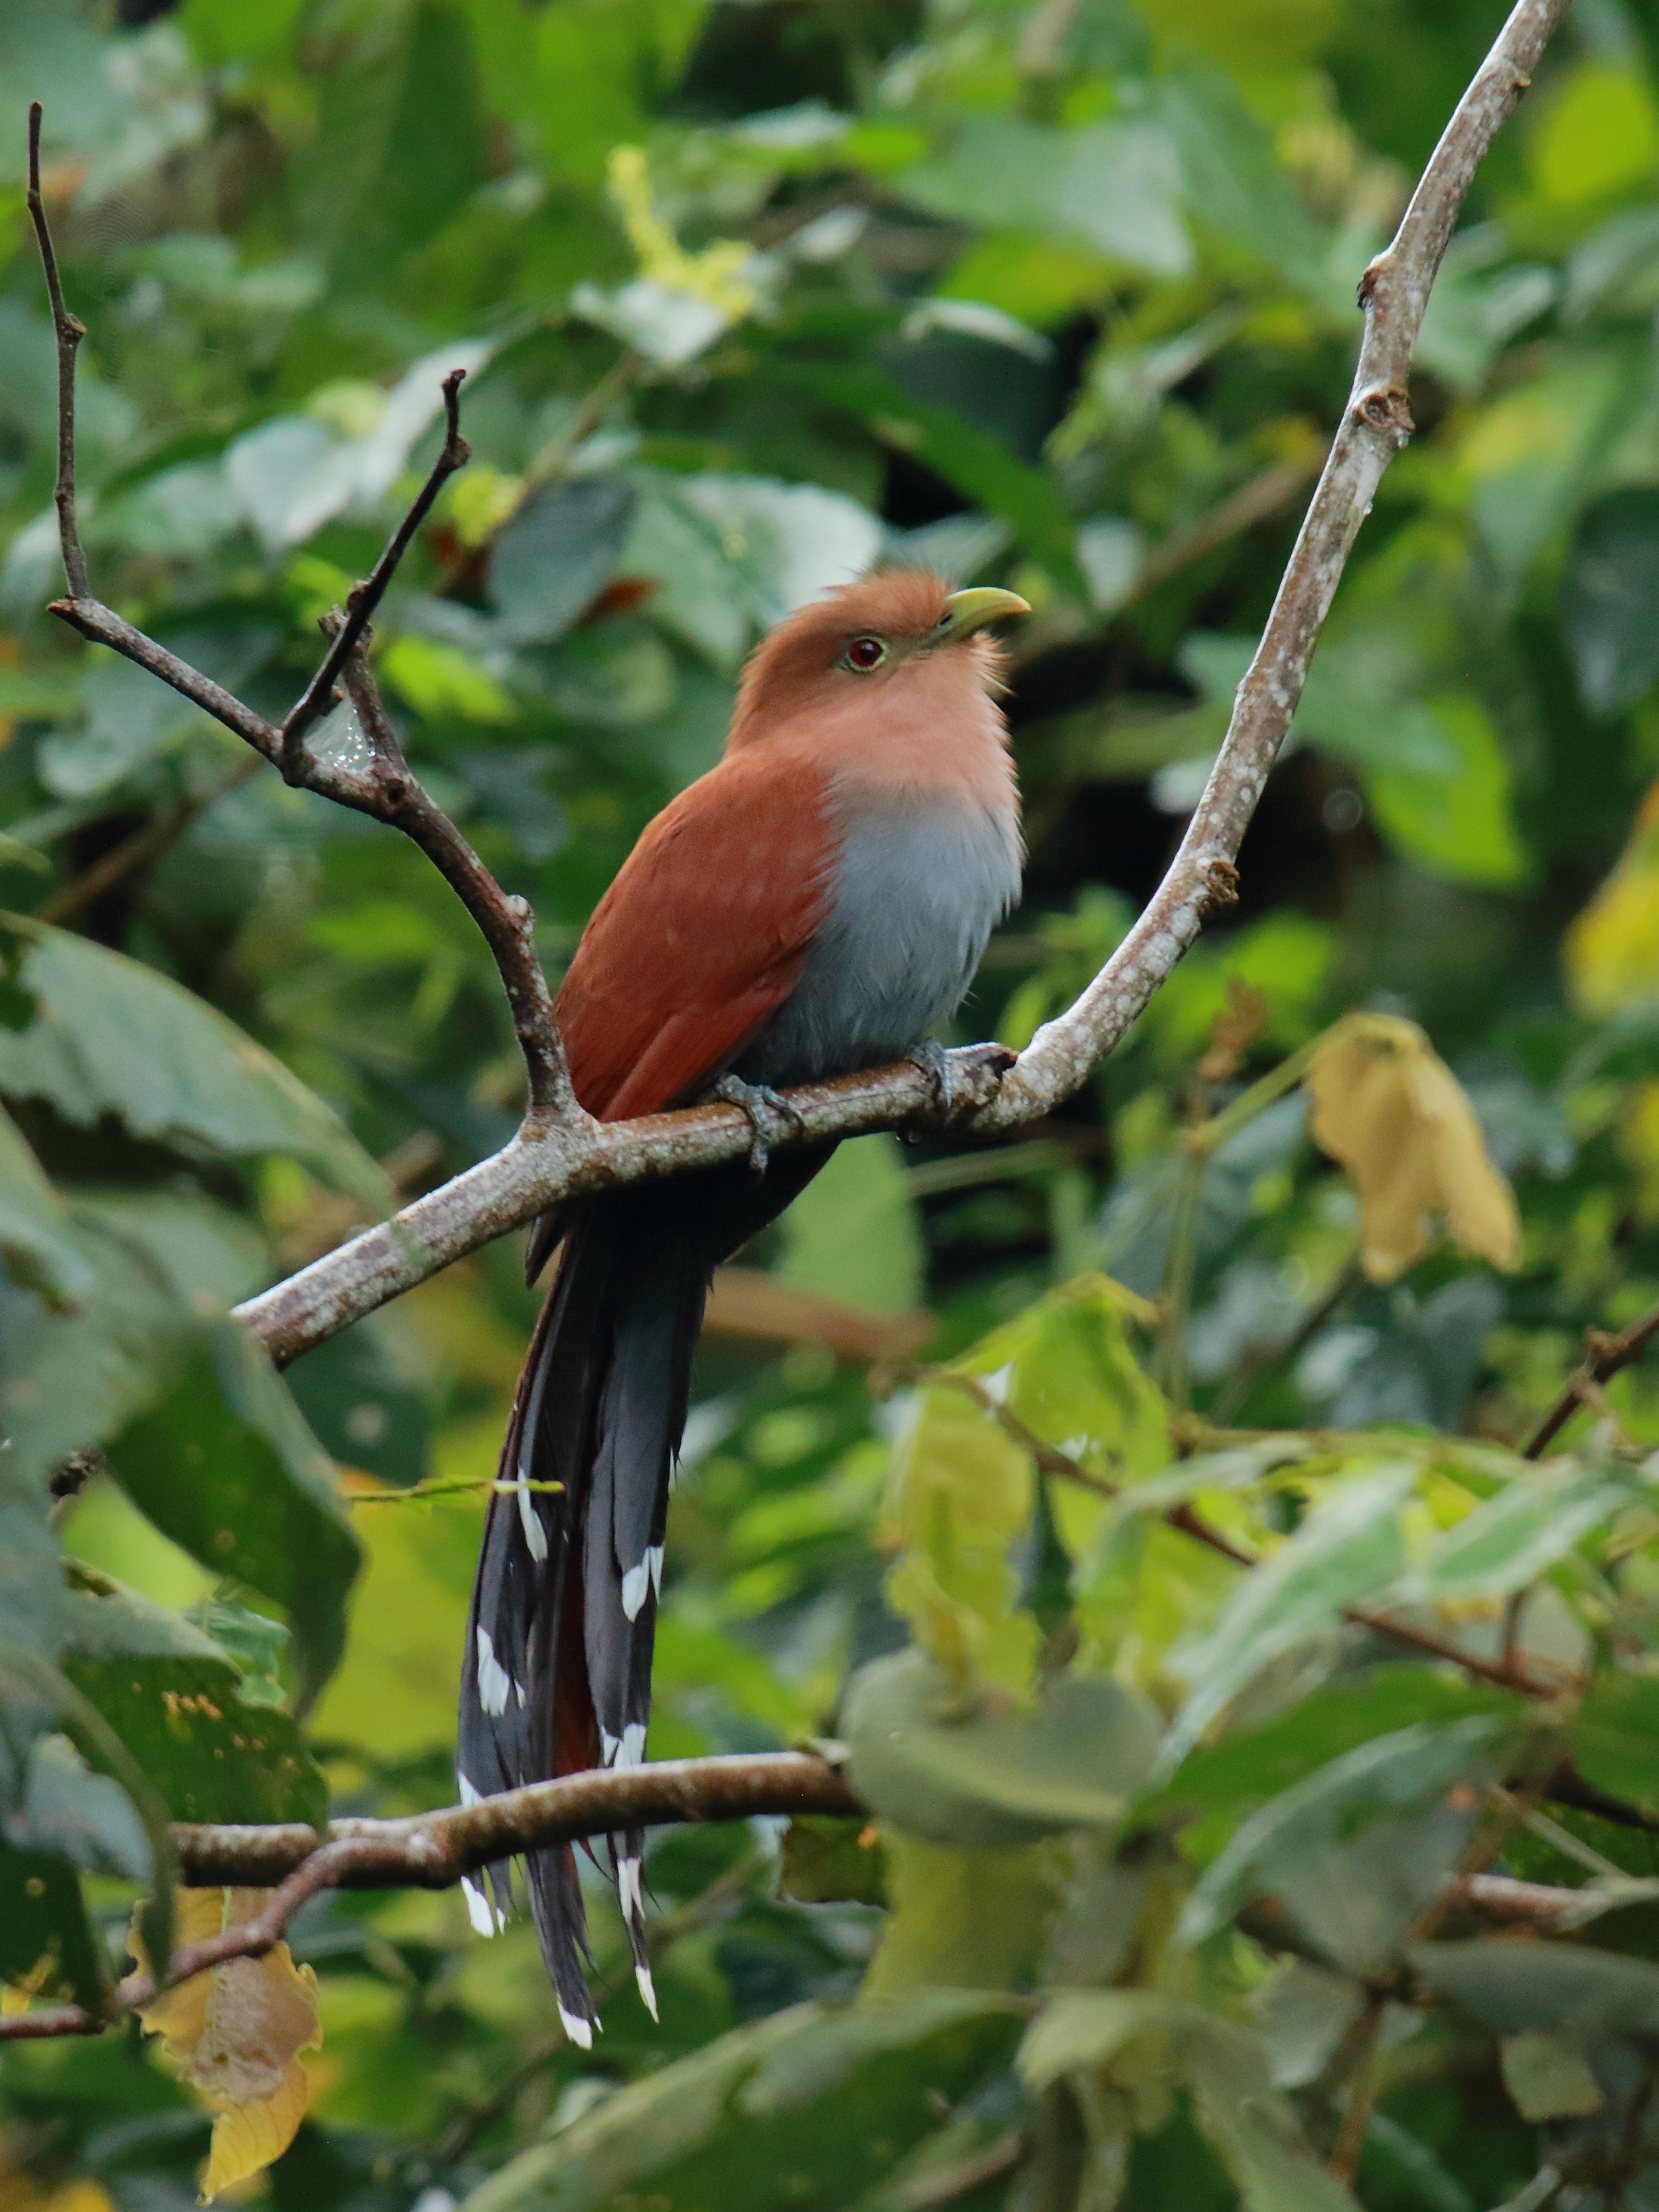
(700, 937)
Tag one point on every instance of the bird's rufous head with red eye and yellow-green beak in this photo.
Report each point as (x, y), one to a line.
(888, 643)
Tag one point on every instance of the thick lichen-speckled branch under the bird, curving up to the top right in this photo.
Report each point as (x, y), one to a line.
(525, 1178)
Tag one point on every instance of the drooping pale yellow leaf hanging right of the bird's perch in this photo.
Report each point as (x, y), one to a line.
(1397, 1118)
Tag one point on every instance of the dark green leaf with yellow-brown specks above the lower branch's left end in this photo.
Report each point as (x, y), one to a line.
(174, 1700)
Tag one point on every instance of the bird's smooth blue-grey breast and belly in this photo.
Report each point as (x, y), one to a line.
(917, 897)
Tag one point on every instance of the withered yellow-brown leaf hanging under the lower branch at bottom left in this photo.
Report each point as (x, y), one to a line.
(236, 2036)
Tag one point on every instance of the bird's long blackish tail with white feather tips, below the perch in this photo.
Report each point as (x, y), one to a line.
(556, 1673)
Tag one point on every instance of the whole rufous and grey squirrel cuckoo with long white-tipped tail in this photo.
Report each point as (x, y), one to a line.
(808, 908)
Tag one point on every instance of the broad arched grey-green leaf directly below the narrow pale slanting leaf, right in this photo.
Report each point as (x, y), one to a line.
(1357, 1848)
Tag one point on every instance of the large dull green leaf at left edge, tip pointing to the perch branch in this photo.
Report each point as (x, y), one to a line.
(114, 1036)
